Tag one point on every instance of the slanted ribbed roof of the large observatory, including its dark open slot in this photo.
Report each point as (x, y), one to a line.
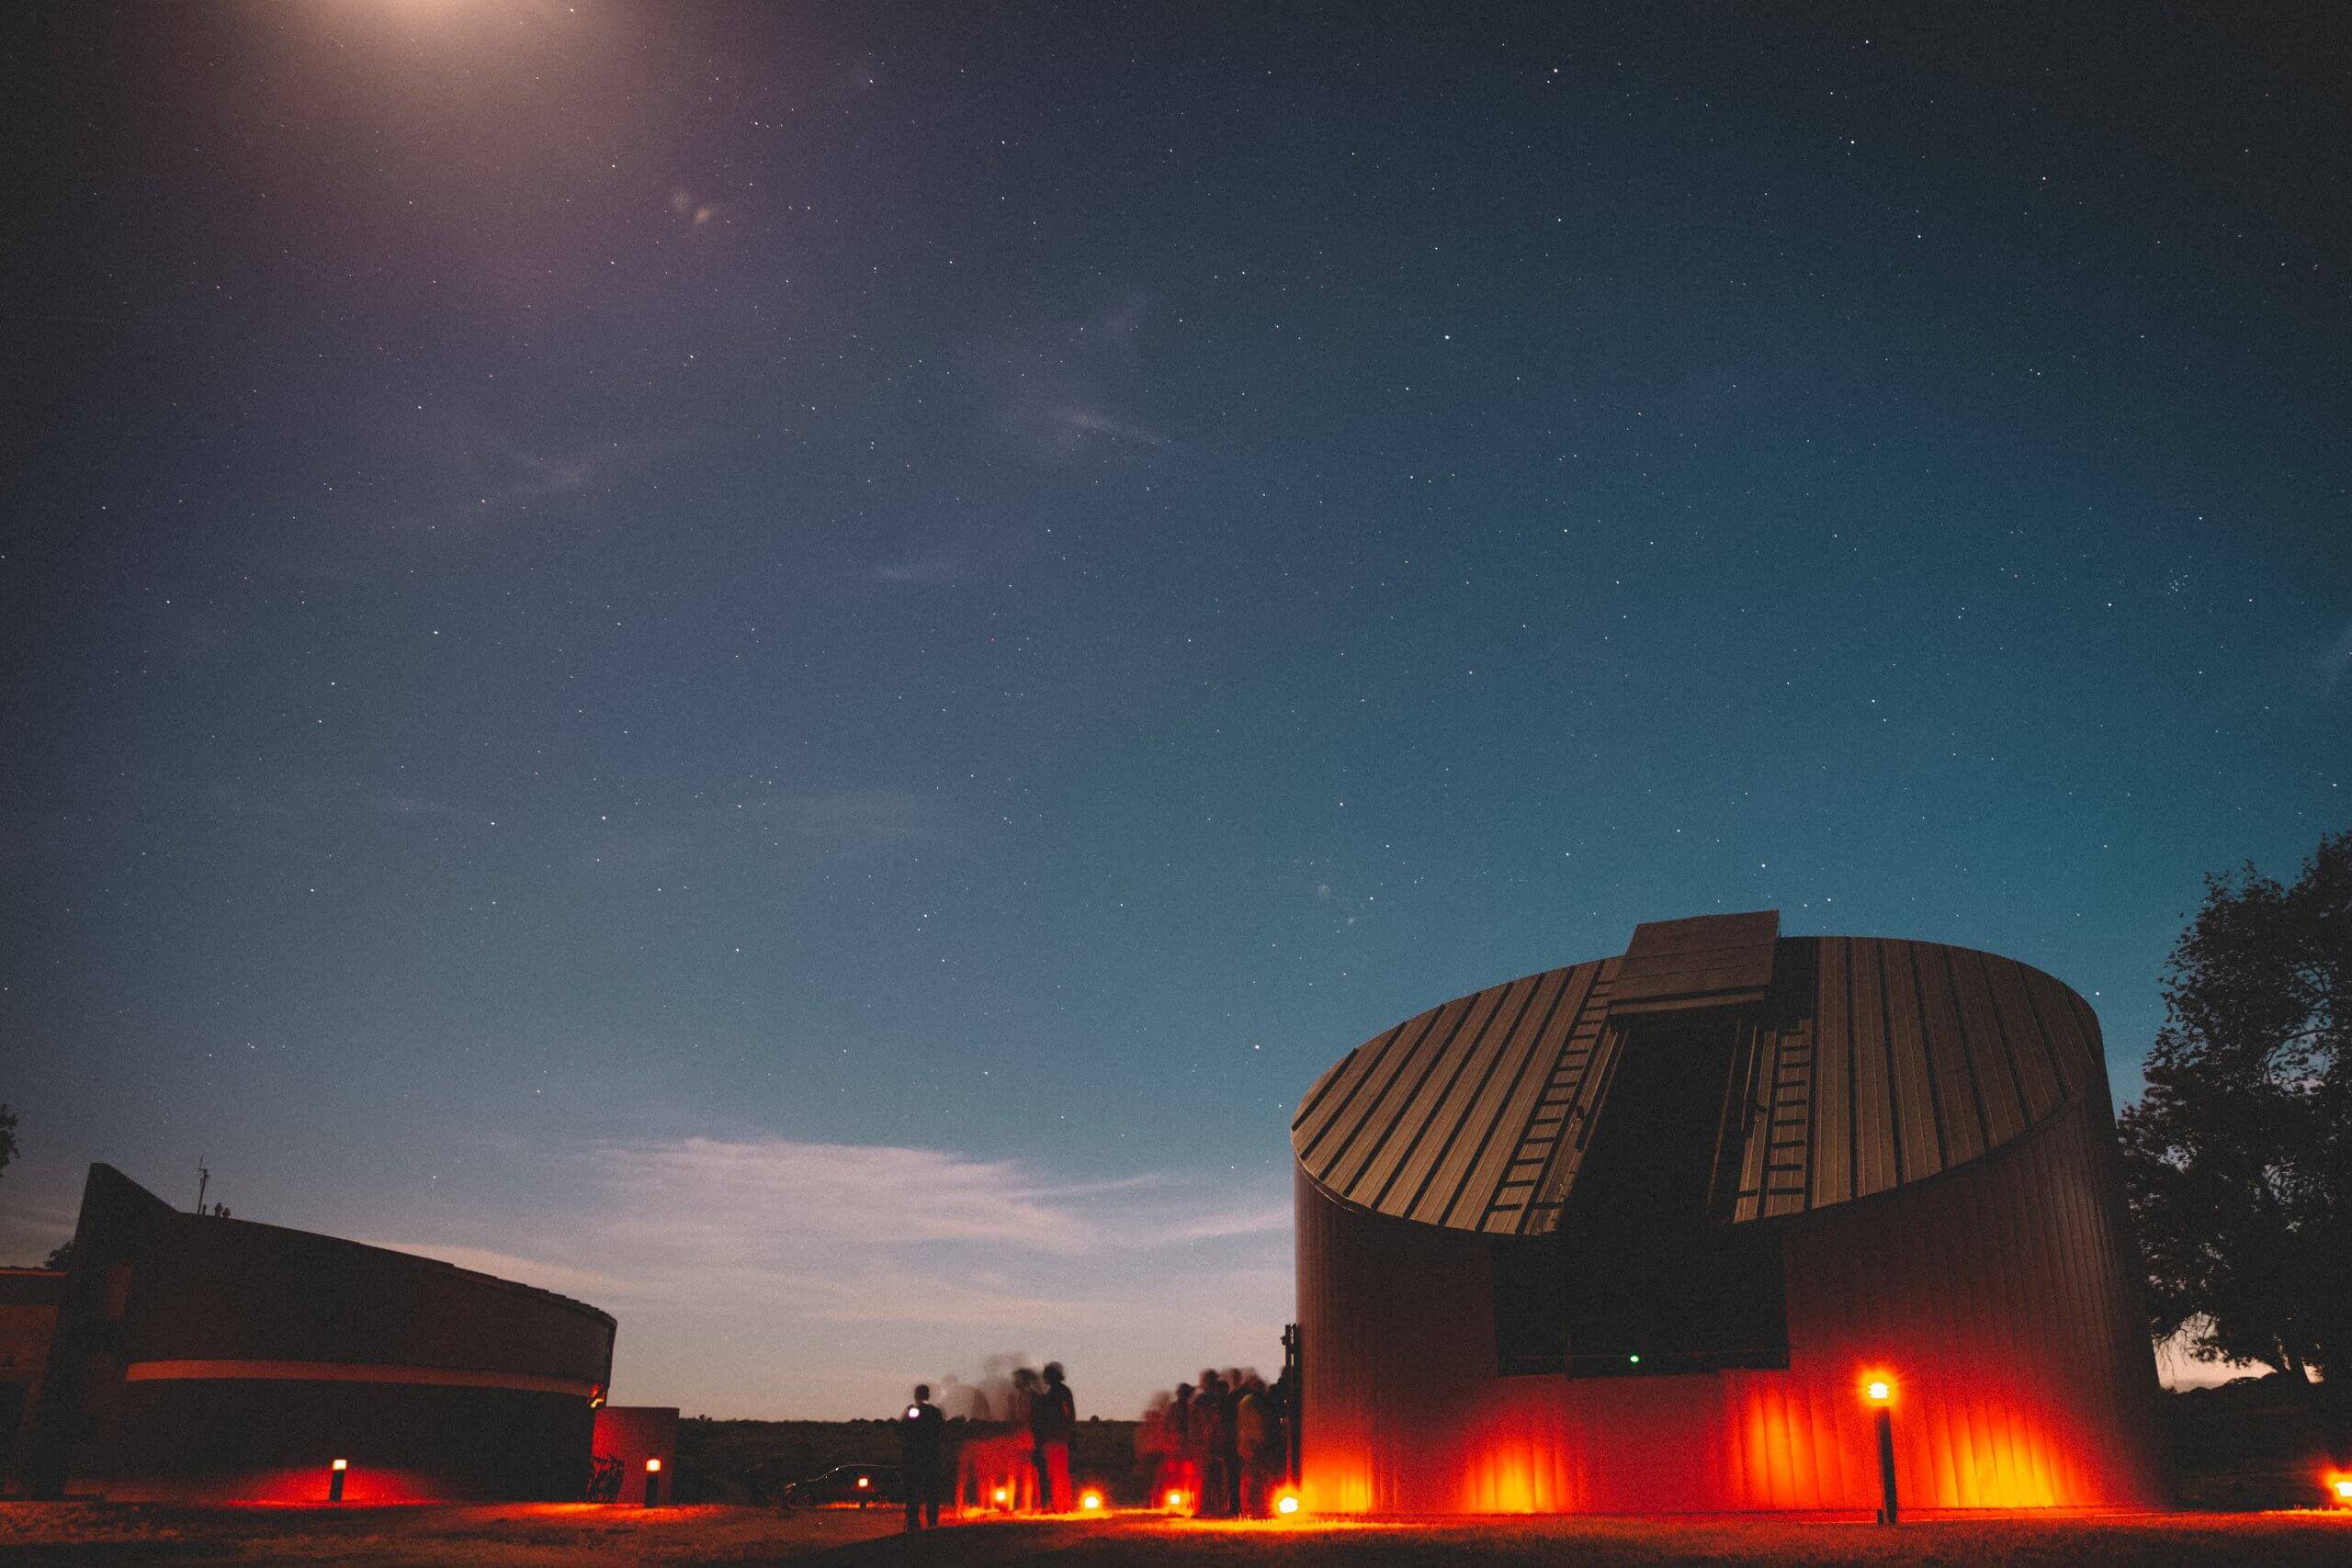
(1648, 1123)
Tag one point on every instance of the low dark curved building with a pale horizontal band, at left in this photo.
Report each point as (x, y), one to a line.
(215, 1360)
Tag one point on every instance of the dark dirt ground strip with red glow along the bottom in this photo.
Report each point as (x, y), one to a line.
(533, 1536)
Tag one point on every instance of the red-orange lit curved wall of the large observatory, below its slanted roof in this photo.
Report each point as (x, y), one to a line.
(1996, 1299)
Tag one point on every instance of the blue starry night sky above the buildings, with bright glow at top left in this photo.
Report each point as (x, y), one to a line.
(794, 669)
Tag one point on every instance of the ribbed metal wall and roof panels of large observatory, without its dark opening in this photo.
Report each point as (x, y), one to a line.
(1986, 1275)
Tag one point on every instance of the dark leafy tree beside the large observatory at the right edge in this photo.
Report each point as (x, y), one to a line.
(2238, 1160)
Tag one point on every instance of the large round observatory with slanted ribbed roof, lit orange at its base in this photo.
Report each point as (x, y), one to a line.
(1643, 1233)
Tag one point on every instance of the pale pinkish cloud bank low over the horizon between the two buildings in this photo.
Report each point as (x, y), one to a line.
(907, 1261)
